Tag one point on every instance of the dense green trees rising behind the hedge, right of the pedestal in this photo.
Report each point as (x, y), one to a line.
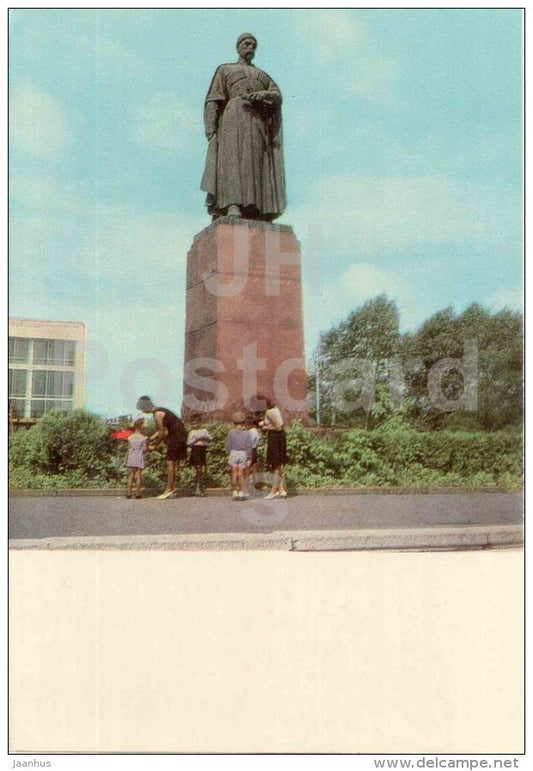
(455, 371)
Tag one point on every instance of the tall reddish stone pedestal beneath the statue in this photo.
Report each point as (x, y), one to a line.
(244, 331)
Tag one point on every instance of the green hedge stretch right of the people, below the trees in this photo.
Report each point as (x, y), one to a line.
(406, 458)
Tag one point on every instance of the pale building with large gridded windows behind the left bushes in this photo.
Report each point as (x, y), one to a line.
(46, 367)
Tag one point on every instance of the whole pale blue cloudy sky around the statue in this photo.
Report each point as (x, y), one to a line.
(403, 154)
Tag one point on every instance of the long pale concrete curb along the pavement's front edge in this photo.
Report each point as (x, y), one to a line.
(416, 539)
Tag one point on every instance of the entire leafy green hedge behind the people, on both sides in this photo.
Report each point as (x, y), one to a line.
(76, 450)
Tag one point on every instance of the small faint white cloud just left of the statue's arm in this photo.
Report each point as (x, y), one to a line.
(164, 122)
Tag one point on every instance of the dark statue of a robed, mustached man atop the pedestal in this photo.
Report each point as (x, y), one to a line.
(244, 174)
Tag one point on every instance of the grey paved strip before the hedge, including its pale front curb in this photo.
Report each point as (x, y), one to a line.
(301, 523)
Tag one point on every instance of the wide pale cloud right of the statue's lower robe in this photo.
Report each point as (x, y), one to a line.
(368, 215)
